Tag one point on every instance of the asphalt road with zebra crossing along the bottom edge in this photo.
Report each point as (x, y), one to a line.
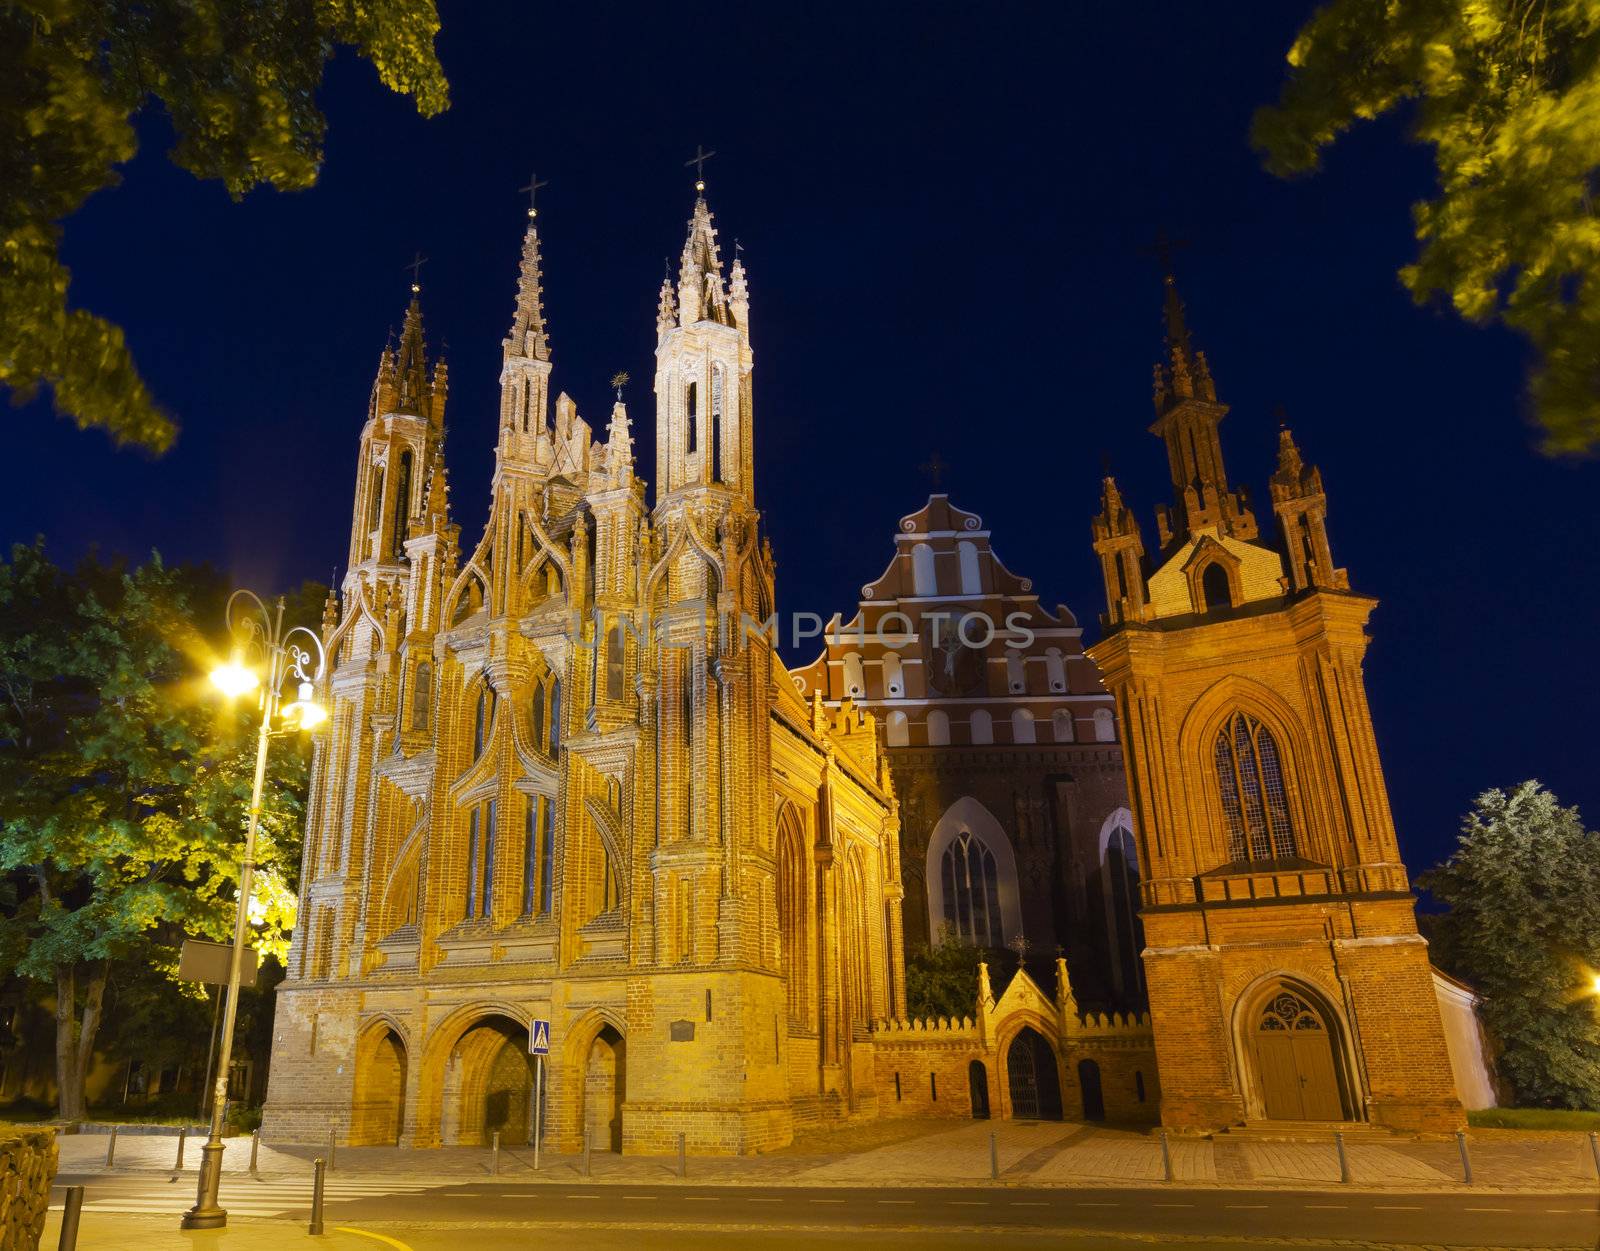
(484, 1213)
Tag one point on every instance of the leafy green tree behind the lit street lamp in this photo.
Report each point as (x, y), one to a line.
(124, 789)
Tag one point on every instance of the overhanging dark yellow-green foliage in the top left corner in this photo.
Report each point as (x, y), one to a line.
(238, 81)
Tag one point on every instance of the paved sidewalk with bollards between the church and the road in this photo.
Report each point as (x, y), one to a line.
(940, 1153)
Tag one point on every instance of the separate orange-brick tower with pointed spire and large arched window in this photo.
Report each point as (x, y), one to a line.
(1286, 973)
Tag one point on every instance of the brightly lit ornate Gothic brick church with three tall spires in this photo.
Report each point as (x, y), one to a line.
(562, 785)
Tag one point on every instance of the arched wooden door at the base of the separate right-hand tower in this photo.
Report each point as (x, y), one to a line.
(1292, 1041)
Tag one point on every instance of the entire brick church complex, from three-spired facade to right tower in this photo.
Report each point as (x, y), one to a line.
(570, 783)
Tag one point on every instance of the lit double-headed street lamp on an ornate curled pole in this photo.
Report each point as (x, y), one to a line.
(265, 657)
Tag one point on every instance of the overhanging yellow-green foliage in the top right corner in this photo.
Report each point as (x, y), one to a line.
(1508, 95)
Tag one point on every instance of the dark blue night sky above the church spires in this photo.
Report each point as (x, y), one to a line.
(943, 210)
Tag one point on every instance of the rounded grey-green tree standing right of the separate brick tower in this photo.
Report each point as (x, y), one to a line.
(1524, 892)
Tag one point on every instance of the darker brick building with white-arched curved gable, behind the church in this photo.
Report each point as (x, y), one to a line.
(1015, 829)
